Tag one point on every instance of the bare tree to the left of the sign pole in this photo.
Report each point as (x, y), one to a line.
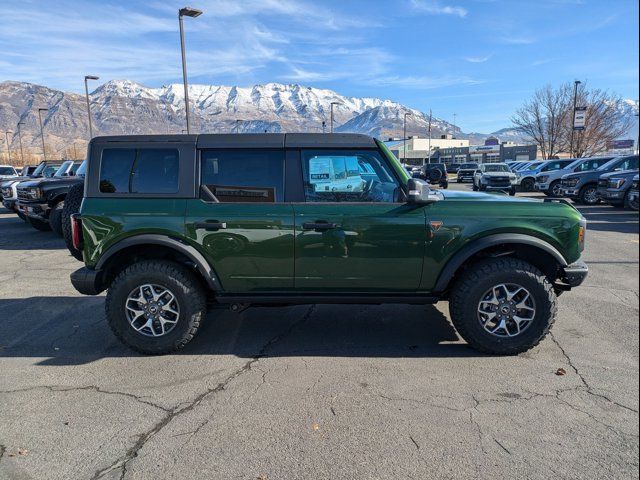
(544, 118)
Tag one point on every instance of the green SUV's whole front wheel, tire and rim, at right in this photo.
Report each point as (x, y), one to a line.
(503, 306)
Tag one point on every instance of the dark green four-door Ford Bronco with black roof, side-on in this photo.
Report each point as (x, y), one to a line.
(170, 225)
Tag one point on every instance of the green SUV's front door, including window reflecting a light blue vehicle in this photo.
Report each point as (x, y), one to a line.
(352, 232)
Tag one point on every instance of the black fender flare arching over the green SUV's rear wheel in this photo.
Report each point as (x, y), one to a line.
(173, 243)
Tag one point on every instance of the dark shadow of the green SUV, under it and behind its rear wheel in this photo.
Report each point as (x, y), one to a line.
(73, 331)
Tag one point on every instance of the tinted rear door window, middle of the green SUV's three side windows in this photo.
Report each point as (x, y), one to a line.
(244, 175)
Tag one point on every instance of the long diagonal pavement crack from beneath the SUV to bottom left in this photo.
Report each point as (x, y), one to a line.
(132, 452)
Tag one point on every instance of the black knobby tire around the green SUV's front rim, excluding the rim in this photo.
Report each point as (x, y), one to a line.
(474, 282)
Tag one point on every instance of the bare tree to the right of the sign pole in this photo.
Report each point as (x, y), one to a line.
(605, 122)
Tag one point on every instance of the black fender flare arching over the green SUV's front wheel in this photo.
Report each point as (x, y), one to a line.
(452, 266)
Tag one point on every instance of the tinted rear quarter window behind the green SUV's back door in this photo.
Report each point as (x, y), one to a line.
(143, 170)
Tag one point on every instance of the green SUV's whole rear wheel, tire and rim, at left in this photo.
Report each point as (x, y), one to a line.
(155, 306)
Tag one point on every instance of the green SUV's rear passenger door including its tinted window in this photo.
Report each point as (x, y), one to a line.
(241, 222)
